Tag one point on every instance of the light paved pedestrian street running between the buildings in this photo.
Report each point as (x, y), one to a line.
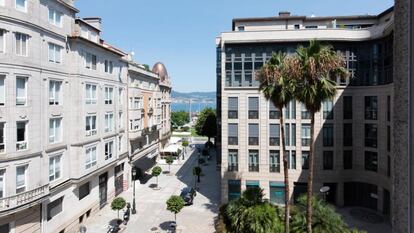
(152, 215)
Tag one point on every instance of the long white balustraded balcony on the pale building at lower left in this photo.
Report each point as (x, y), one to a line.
(21, 199)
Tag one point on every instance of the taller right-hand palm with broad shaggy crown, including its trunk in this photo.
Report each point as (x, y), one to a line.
(313, 67)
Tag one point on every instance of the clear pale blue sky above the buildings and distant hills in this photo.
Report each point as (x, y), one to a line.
(181, 33)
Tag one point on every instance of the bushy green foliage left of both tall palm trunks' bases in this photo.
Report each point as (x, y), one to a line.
(251, 214)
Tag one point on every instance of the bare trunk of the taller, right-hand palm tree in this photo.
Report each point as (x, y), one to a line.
(311, 160)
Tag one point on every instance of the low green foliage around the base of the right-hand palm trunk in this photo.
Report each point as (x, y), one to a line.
(325, 219)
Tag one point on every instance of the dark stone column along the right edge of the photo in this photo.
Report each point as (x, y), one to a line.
(403, 162)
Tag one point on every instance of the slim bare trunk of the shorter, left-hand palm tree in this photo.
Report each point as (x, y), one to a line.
(285, 170)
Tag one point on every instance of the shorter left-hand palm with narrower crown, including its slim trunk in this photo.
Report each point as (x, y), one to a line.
(277, 86)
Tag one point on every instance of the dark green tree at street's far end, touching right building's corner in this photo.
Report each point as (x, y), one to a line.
(206, 124)
